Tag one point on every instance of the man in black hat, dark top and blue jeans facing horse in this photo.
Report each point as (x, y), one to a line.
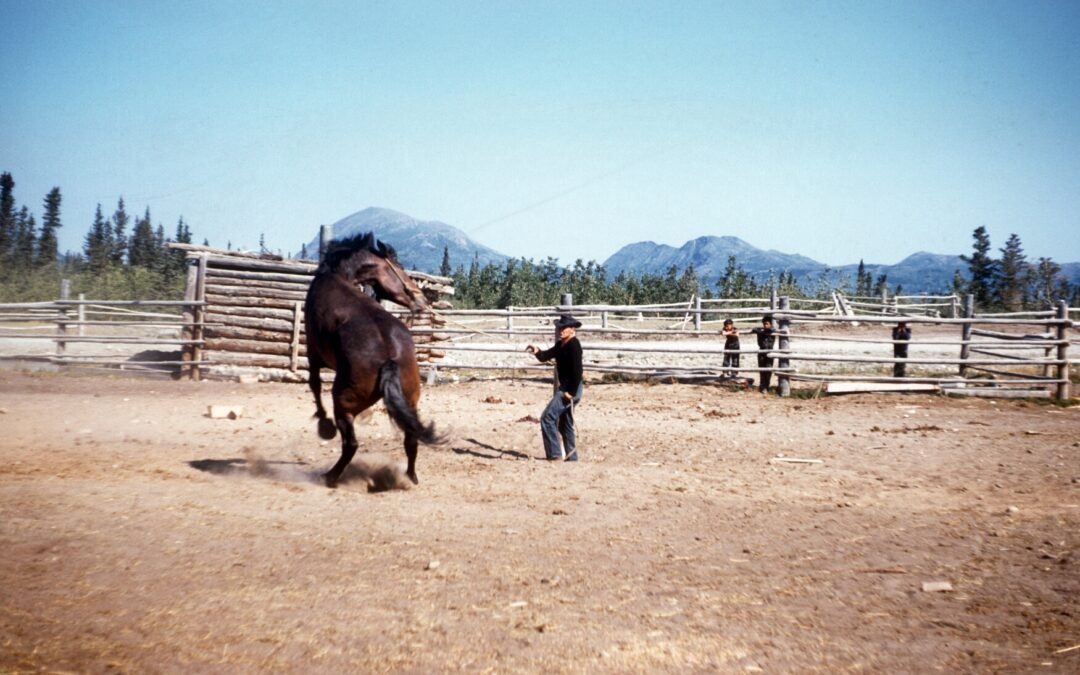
(558, 418)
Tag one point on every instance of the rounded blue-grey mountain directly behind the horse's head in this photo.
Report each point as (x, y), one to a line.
(420, 244)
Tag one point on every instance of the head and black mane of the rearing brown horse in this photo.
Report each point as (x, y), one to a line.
(368, 262)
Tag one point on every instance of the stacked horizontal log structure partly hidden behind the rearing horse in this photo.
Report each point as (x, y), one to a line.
(253, 316)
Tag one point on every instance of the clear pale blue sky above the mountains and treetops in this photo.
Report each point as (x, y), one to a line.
(836, 130)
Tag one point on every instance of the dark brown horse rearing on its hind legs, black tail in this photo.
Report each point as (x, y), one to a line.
(370, 349)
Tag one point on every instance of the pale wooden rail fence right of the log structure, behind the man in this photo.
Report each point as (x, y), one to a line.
(994, 355)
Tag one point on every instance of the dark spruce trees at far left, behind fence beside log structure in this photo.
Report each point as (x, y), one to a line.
(123, 258)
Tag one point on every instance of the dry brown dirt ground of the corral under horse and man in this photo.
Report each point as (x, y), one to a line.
(139, 535)
